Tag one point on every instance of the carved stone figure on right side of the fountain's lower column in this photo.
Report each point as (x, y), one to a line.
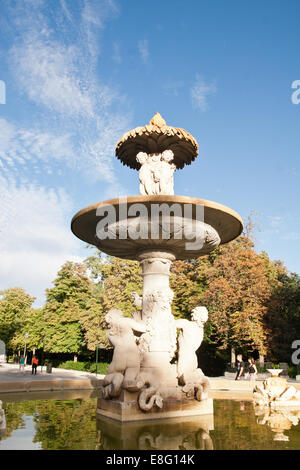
(190, 338)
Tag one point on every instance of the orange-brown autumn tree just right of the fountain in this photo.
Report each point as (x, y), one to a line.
(238, 288)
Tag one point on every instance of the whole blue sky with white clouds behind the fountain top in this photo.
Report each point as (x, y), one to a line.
(80, 73)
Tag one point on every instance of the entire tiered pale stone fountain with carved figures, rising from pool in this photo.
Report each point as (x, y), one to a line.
(144, 381)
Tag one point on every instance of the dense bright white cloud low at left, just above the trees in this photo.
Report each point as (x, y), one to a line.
(35, 239)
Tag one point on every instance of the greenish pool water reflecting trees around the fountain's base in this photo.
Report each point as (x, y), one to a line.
(72, 424)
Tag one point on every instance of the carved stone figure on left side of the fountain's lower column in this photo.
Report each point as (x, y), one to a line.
(125, 365)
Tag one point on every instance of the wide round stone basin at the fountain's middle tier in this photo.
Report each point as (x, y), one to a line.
(218, 225)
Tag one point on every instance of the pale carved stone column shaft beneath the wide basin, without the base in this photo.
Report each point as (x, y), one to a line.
(159, 342)
